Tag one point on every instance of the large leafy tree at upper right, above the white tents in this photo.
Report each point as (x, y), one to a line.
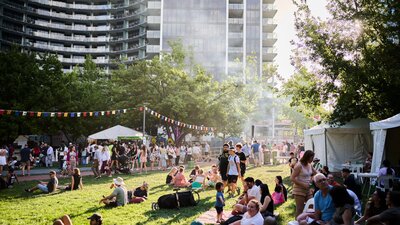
(350, 60)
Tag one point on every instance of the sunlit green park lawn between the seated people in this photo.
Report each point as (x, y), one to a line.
(19, 207)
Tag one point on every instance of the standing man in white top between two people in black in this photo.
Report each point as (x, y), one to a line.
(233, 171)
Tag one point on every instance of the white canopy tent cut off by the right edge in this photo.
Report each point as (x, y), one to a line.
(385, 133)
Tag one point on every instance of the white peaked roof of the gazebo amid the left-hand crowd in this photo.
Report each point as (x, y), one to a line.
(114, 132)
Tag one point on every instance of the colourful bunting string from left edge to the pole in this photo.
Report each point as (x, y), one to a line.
(63, 114)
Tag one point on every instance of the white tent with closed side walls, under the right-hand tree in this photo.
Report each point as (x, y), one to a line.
(337, 145)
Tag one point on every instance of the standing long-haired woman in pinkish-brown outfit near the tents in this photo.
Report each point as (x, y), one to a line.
(301, 178)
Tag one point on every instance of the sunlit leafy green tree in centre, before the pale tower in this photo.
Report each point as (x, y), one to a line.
(189, 95)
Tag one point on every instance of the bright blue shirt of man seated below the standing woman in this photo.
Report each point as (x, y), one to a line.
(325, 205)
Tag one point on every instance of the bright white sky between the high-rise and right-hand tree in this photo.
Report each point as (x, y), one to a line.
(285, 31)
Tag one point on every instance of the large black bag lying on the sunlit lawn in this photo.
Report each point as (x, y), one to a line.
(176, 200)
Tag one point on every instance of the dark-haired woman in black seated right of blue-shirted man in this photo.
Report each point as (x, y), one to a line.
(344, 205)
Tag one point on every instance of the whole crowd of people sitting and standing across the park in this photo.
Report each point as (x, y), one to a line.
(337, 200)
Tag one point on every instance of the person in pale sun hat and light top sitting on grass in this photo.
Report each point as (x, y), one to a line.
(119, 197)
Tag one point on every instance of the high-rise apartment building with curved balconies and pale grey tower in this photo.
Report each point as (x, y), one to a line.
(221, 33)
